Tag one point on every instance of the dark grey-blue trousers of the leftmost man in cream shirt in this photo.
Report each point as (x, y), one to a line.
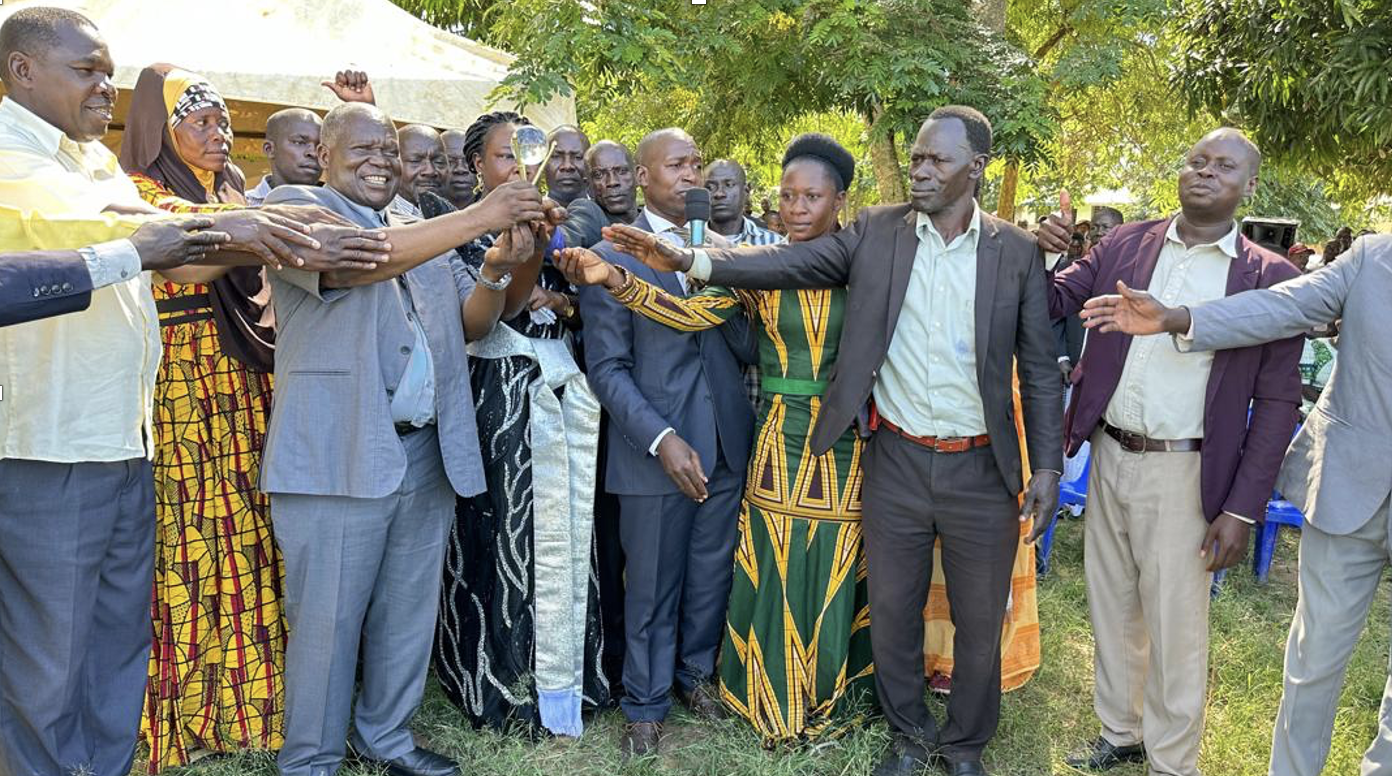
(77, 564)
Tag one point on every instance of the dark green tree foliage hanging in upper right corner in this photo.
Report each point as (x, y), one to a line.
(1312, 80)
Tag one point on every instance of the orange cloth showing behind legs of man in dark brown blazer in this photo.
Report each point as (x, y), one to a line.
(1021, 632)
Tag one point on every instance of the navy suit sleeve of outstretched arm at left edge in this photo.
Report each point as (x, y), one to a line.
(35, 286)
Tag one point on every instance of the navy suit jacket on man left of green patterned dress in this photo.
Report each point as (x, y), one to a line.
(649, 377)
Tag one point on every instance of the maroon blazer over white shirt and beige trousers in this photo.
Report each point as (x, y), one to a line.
(1240, 459)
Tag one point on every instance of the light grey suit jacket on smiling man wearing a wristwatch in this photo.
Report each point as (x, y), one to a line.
(340, 353)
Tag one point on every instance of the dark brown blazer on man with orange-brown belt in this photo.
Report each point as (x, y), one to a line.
(873, 260)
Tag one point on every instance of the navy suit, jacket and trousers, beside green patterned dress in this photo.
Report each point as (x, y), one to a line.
(680, 554)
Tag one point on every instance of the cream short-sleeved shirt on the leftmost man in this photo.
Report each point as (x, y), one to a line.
(81, 387)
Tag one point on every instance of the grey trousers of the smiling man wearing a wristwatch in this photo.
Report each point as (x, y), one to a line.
(361, 576)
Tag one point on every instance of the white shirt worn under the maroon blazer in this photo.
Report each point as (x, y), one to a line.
(1162, 391)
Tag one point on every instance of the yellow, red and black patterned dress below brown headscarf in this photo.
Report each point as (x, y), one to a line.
(219, 633)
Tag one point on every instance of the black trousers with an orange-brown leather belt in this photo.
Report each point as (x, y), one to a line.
(914, 497)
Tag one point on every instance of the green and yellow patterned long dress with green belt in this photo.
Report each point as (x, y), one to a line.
(796, 660)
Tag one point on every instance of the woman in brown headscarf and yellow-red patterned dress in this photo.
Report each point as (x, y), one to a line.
(219, 632)
